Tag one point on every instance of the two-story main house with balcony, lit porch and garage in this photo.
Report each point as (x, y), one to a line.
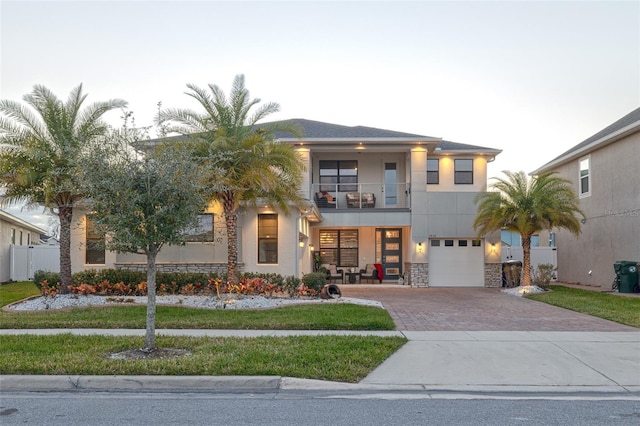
(400, 200)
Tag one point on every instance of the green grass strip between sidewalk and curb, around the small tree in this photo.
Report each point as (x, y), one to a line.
(335, 358)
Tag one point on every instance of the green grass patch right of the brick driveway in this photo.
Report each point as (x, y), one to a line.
(621, 309)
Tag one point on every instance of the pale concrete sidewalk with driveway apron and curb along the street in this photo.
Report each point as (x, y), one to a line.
(460, 361)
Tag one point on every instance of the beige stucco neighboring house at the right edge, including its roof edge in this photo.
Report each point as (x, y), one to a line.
(604, 170)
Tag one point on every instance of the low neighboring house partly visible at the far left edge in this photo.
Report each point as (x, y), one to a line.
(14, 232)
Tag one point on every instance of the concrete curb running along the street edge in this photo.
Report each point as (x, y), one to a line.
(62, 383)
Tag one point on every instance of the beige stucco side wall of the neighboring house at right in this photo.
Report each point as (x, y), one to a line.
(612, 228)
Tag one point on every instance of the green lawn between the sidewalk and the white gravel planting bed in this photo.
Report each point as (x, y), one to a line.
(296, 317)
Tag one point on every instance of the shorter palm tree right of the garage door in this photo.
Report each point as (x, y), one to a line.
(528, 207)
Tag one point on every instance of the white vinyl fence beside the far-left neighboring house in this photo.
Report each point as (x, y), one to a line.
(26, 260)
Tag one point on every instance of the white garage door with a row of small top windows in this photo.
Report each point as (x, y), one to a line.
(456, 263)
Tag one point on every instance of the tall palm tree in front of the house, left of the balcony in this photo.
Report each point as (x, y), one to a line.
(242, 162)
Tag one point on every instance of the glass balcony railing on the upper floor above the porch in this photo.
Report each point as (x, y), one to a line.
(364, 196)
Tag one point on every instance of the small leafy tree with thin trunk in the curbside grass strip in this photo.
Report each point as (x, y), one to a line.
(142, 201)
